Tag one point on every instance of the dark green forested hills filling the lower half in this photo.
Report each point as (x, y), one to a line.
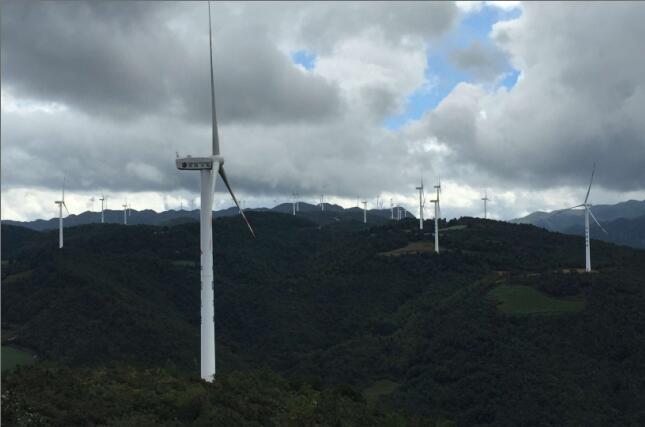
(325, 324)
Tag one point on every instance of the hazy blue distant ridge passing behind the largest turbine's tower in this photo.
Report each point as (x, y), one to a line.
(332, 213)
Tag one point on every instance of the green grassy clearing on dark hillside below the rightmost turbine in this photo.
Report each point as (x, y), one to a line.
(521, 300)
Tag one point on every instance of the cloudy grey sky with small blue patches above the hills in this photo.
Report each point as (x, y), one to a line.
(349, 99)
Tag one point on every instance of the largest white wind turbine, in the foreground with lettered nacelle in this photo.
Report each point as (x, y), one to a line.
(208, 166)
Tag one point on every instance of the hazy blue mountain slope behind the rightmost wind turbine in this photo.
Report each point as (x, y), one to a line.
(624, 222)
